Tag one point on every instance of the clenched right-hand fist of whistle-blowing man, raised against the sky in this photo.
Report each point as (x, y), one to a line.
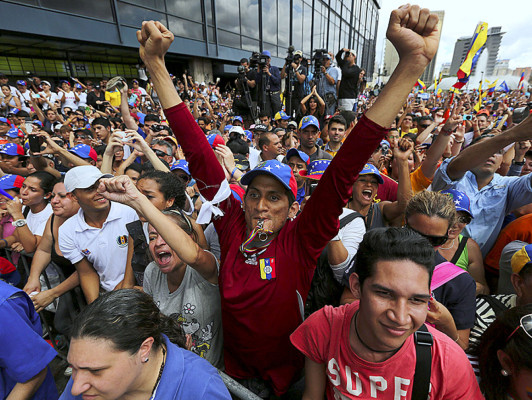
(414, 33)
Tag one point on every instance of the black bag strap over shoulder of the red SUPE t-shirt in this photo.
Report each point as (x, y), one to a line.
(423, 340)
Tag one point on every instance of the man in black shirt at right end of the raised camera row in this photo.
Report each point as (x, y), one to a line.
(348, 90)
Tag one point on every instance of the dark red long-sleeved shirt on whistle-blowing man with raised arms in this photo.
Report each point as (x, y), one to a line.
(259, 314)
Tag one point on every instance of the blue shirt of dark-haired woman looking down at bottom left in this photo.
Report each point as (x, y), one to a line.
(185, 376)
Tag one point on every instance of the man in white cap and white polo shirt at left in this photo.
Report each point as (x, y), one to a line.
(95, 239)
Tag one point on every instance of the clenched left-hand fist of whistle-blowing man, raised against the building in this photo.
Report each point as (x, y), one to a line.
(154, 39)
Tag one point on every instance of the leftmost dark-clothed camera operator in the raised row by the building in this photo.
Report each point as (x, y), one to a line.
(242, 105)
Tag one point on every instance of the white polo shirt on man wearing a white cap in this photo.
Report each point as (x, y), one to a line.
(105, 248)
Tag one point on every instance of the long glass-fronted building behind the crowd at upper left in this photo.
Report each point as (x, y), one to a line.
(88, 39)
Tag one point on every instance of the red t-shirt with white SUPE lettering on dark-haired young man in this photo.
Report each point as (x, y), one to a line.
(324, 338)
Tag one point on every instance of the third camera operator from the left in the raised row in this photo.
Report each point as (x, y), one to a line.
(295, 83)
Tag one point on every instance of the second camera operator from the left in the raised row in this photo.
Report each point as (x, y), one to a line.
(269, 91)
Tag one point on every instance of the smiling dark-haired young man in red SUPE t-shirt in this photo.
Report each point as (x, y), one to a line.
(367, 349)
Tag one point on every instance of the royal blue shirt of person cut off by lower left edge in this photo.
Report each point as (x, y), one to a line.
(23, 351)
